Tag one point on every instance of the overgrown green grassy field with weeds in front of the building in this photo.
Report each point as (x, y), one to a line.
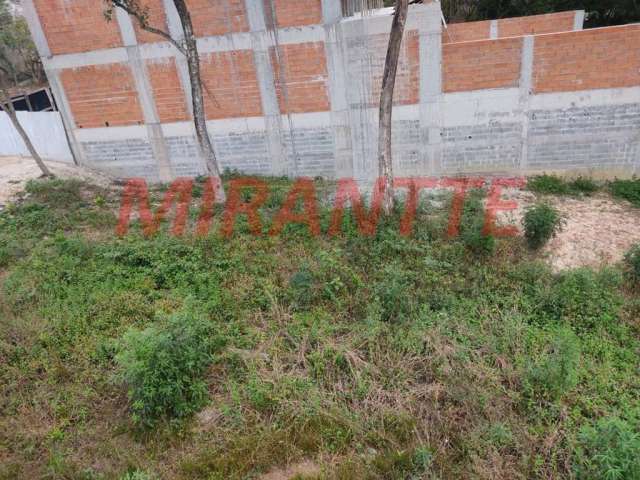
(379, 357)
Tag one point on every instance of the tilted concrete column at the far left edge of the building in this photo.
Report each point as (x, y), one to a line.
(40, 40)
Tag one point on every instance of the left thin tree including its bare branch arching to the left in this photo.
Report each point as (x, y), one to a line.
(187, 46)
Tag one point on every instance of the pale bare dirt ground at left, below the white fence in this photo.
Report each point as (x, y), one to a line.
(15, 172)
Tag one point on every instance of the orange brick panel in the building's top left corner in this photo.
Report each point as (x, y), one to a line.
(73, 26)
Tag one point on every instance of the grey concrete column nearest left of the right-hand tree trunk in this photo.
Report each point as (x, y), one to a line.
(336, 69)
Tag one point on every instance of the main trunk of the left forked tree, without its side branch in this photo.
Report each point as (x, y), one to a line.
(199, 118)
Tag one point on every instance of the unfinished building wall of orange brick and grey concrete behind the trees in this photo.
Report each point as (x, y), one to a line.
(292, 88)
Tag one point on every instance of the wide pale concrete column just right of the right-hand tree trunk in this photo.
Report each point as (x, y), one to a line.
(431, 94)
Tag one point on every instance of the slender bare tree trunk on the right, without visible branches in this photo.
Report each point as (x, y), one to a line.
(385, 161)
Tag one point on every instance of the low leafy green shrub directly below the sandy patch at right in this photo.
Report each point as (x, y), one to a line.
(584, 299)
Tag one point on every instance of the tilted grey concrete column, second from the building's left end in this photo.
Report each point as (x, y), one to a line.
(145, 96)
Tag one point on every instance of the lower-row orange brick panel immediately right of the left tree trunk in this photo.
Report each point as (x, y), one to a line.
(231, 85)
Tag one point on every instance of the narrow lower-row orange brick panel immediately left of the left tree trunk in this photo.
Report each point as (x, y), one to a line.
(167, 90)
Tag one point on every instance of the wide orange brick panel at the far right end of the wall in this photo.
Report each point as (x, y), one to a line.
(588, 59)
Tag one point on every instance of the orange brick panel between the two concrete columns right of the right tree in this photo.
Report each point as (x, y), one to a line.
(483, 64)
